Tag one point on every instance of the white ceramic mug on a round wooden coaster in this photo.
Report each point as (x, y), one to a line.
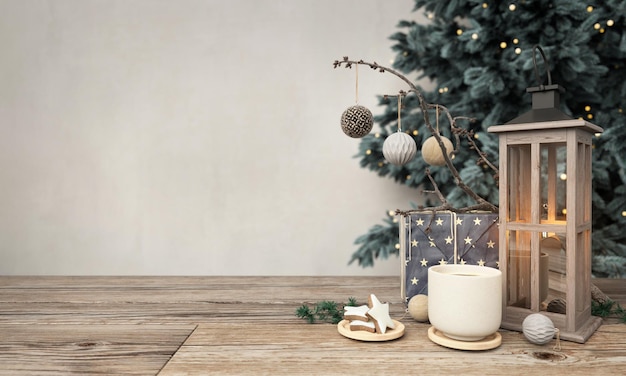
(465, 301)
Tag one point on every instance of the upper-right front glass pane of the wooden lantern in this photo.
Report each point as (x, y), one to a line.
(553, 182)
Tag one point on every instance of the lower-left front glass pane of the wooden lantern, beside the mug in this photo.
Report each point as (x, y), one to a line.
(518, 273)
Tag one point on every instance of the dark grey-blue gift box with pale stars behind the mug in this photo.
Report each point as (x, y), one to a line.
(439, 238)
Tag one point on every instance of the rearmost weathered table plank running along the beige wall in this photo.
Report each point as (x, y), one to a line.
(182, 289)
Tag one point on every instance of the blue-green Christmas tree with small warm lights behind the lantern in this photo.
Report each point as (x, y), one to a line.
(478, 55)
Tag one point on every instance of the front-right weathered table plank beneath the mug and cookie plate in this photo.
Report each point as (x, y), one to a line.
(262, 348)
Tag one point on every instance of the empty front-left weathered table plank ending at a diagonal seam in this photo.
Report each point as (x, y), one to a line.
(88, 349)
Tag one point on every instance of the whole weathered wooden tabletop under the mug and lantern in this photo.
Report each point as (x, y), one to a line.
(246, 325)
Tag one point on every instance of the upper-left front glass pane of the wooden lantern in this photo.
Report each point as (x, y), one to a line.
(519, 183)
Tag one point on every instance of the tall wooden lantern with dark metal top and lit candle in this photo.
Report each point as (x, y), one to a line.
(545, 217)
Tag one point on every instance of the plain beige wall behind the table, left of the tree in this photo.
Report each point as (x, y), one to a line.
(189, 137)
